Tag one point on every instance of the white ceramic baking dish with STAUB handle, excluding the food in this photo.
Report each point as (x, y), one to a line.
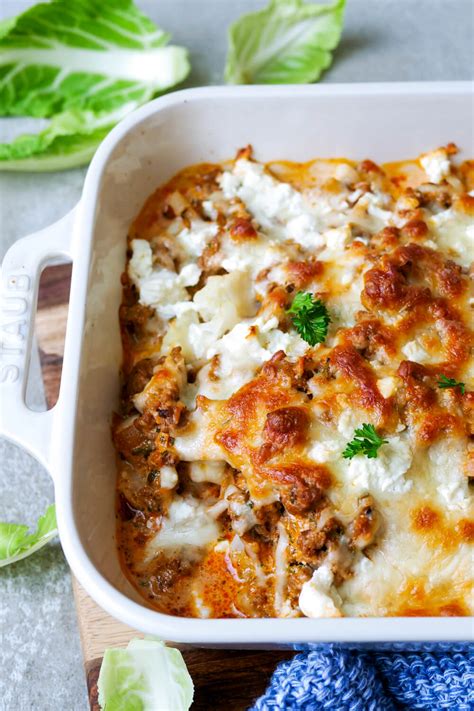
(381, 121)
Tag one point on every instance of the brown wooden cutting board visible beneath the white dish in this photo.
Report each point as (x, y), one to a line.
(223, 679)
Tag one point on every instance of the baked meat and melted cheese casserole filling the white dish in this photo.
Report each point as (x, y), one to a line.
(235, 498)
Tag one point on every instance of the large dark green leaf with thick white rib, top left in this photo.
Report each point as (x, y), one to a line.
(84, 64)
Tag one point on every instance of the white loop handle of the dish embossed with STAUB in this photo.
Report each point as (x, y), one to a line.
(20, 277)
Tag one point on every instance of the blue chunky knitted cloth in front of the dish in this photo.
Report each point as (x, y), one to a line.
(343, 680)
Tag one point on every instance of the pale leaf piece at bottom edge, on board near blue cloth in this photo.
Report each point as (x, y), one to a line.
(146, 676)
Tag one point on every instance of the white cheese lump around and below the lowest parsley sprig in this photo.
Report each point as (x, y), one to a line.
(385, 473)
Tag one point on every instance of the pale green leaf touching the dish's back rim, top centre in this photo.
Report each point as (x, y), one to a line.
(288, 42)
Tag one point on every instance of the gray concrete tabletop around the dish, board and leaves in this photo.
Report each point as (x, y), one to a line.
(384, 40)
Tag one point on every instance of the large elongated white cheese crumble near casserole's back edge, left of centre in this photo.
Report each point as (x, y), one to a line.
(279, 209)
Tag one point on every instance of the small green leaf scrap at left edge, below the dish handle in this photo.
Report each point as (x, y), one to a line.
(16, 543)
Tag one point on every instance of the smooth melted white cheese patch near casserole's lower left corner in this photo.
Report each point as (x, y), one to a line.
(188, 523)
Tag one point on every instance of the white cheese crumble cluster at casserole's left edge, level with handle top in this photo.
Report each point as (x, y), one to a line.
(161, 288)
